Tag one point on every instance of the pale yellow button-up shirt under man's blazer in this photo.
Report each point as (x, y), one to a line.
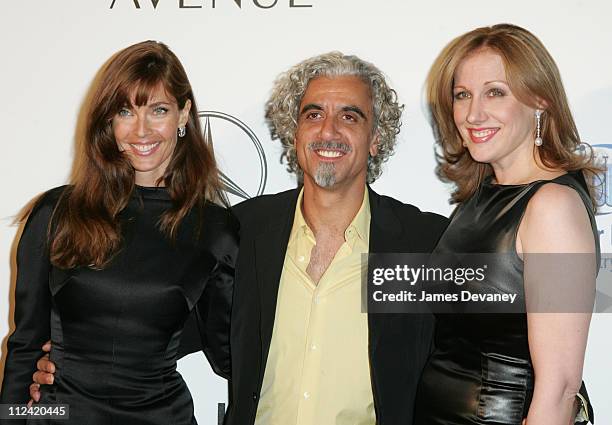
(318, 370)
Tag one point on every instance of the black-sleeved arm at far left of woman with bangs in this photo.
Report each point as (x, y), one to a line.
(32, 306)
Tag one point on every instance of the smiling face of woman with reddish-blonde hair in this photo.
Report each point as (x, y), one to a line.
(495, 126)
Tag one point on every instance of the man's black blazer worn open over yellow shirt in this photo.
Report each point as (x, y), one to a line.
(398, 344)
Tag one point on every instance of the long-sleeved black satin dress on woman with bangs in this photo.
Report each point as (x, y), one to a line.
(115, 332)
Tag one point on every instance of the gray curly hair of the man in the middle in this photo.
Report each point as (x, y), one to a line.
(282, 108)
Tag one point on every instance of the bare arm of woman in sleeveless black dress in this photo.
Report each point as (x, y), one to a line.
(558, 288)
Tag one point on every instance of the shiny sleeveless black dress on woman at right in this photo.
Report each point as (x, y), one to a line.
(480, 371)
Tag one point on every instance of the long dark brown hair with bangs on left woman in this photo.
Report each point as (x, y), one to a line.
(85, 228)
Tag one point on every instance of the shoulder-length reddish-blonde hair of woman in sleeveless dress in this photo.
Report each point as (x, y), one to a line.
(532, 74)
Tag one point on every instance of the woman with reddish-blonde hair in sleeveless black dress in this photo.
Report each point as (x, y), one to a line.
(509, 145)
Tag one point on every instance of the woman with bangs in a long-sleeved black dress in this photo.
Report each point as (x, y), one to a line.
(110, 266)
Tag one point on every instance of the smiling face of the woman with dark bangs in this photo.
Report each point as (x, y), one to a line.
(147, 134)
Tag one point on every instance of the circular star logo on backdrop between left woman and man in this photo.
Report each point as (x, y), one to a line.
(251, 151)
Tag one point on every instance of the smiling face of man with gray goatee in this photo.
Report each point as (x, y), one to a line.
(334, 134)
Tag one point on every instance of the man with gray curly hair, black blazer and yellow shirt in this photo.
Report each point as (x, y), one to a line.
(302, 351)
